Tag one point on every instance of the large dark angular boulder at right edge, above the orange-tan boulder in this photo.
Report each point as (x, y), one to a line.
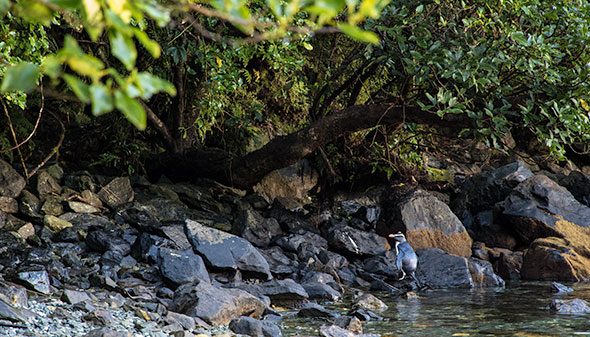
(538, 207)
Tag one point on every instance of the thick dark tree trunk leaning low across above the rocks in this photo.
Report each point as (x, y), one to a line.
(245, 171)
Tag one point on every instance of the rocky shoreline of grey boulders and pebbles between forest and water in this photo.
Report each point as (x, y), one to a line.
(88, 255)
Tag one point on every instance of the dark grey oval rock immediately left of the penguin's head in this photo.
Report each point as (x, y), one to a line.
(350, 240)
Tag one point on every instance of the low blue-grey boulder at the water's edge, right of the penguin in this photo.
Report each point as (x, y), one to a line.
(439, 269)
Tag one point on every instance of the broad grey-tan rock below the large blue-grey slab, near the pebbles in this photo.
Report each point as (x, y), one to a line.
(215, 305)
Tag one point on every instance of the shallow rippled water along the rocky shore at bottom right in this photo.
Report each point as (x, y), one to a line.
(519, 309)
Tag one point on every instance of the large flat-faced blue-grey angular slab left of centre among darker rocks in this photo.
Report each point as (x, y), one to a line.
(225, 251)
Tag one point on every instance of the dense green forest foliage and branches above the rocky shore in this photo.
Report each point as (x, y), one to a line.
(357, 85)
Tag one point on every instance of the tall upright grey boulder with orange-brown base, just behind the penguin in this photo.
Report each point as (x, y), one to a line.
(429, 223)
